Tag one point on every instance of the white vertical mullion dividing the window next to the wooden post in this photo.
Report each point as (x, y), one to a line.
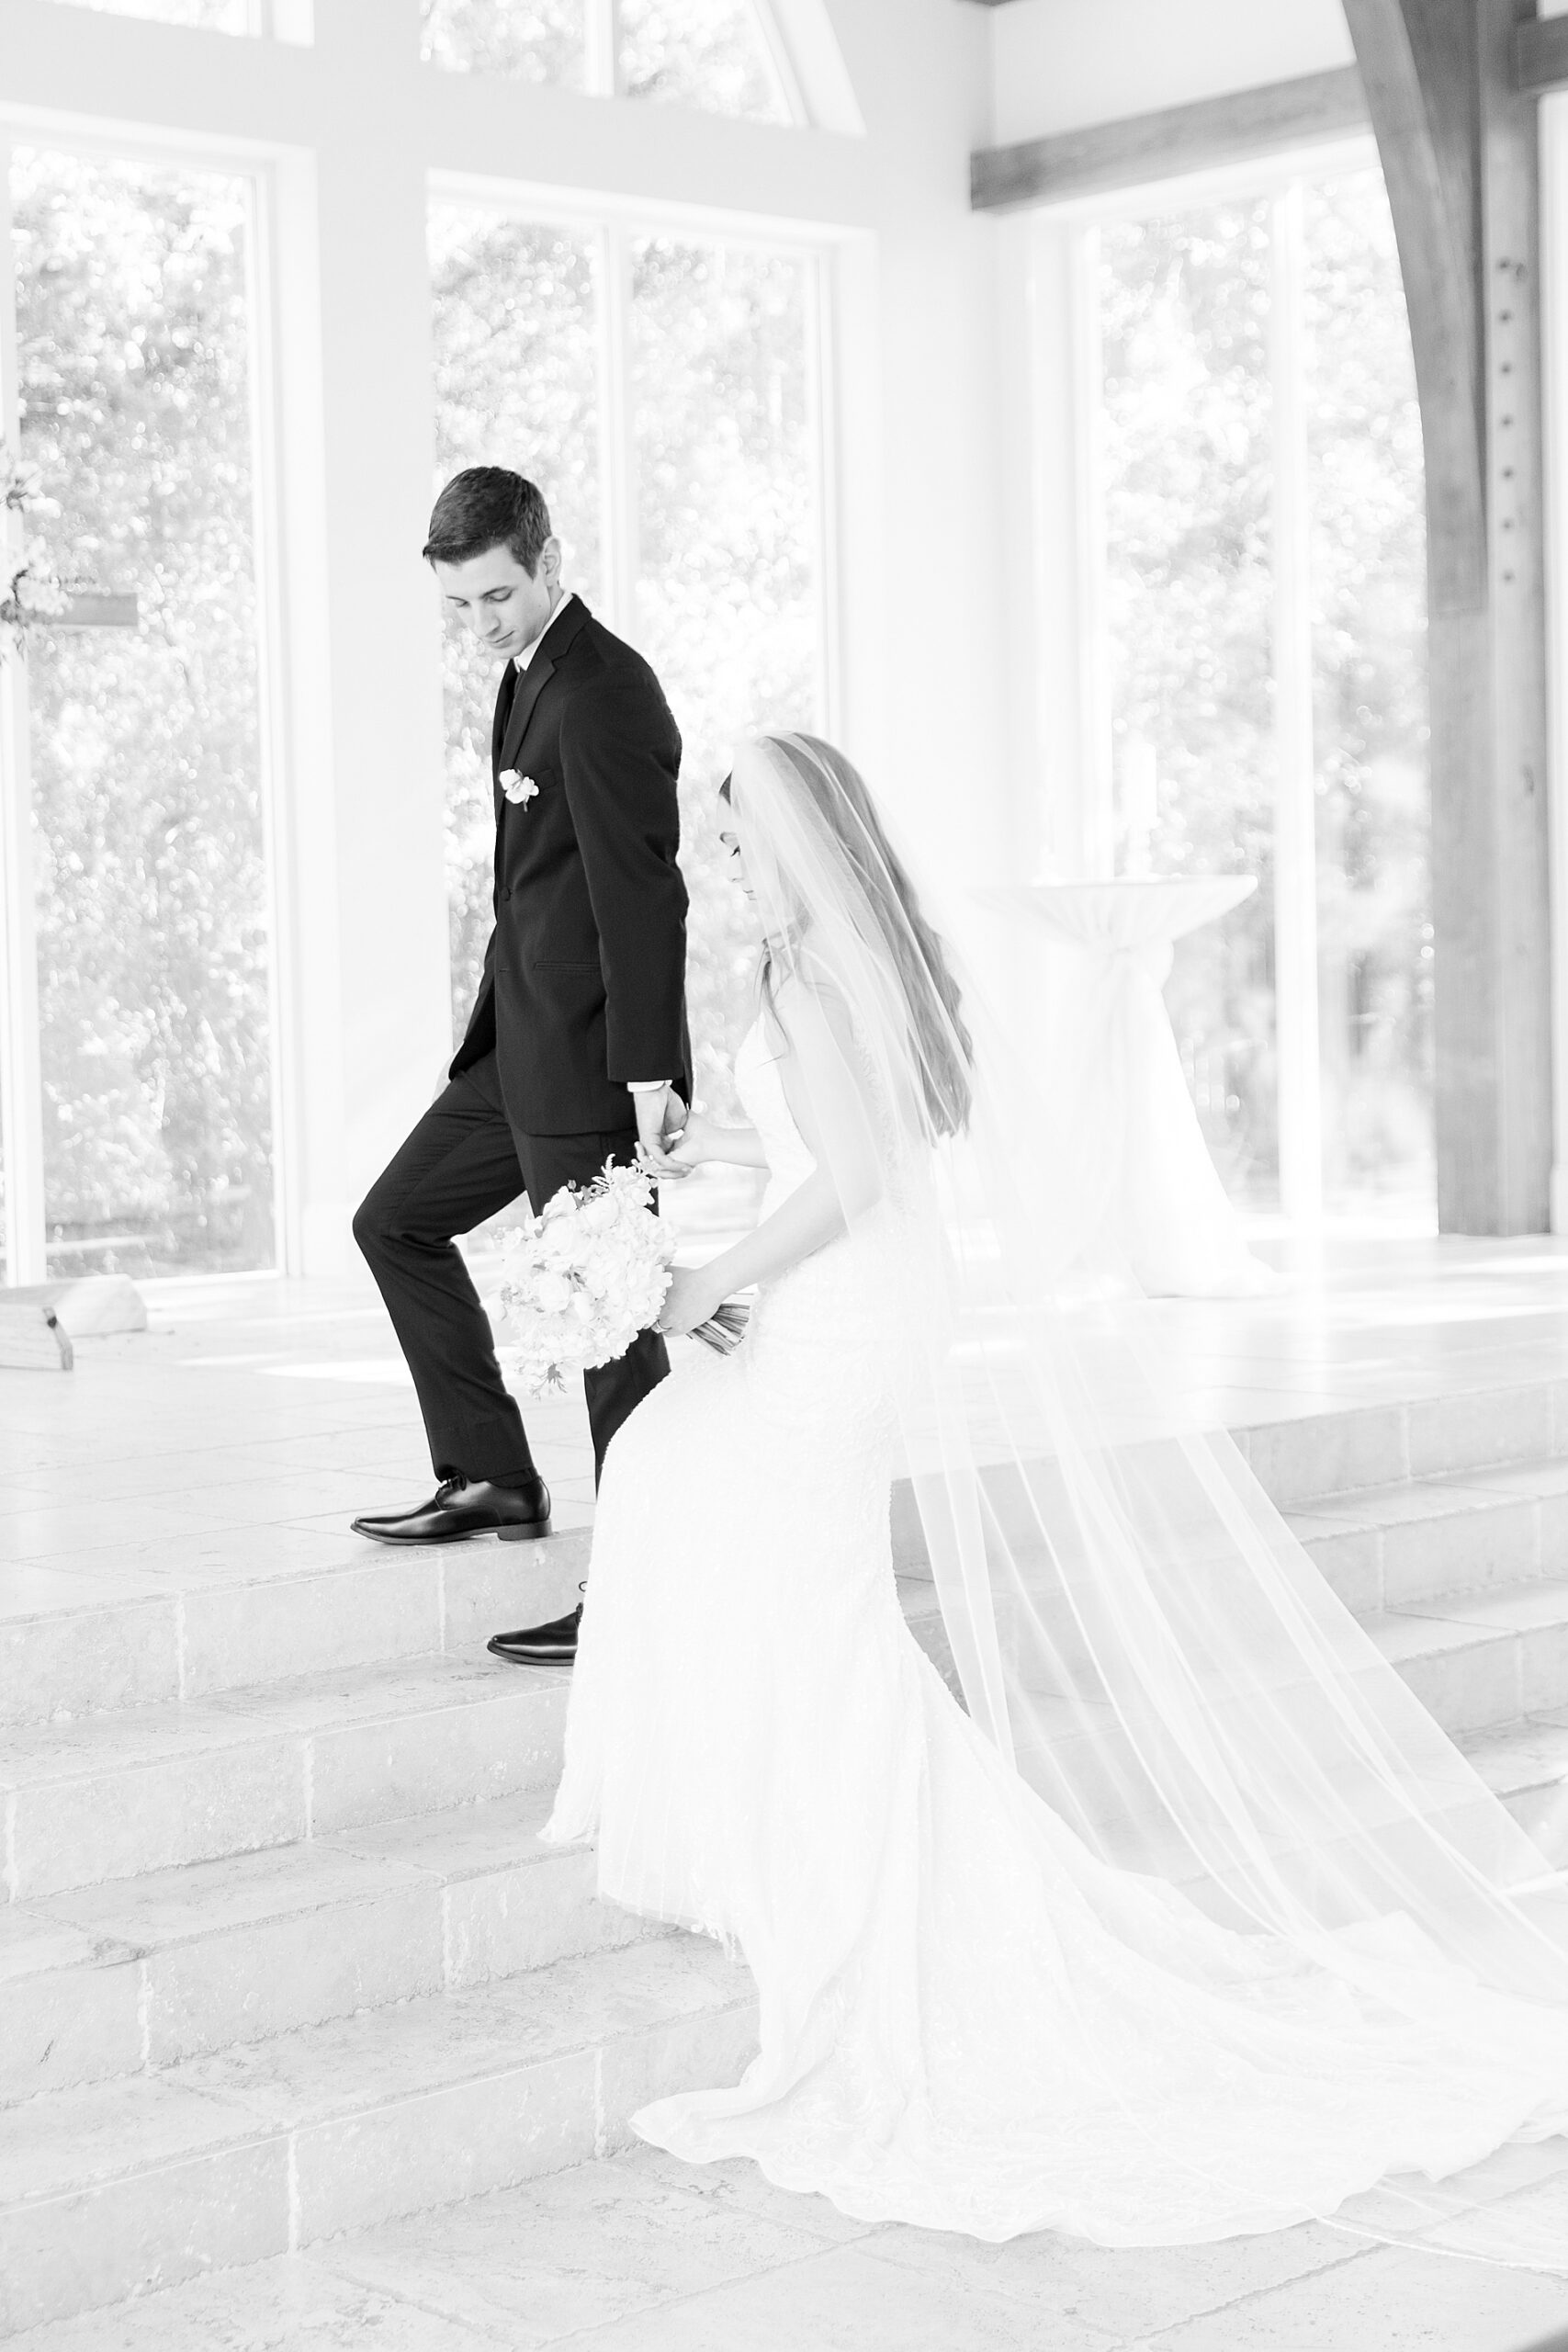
(1296, 1010)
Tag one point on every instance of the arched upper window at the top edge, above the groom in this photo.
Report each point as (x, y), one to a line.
(697, 53)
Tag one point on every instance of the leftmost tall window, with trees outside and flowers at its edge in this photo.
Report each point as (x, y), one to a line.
(147, 817)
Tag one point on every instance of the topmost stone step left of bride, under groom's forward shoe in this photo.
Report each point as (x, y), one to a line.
(147, 1633)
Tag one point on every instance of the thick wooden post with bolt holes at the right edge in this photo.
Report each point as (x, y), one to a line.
(1461, 163)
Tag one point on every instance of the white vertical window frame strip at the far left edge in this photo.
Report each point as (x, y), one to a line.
(20, 1048)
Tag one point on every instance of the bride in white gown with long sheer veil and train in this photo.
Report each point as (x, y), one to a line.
(1188, 1920)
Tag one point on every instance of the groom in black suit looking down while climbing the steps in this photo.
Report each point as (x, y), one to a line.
(577, 1045)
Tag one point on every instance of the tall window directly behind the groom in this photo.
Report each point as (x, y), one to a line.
(662, 392)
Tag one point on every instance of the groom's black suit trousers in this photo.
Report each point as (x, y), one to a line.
(462, 1165)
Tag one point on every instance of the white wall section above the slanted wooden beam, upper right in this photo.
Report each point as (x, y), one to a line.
(1059, 65)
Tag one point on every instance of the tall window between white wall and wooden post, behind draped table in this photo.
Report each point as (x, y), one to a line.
(1261, 512)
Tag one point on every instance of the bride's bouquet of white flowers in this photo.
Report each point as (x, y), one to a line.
(587, 1276)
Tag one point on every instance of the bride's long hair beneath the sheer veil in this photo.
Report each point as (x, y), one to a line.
(847, 813)
